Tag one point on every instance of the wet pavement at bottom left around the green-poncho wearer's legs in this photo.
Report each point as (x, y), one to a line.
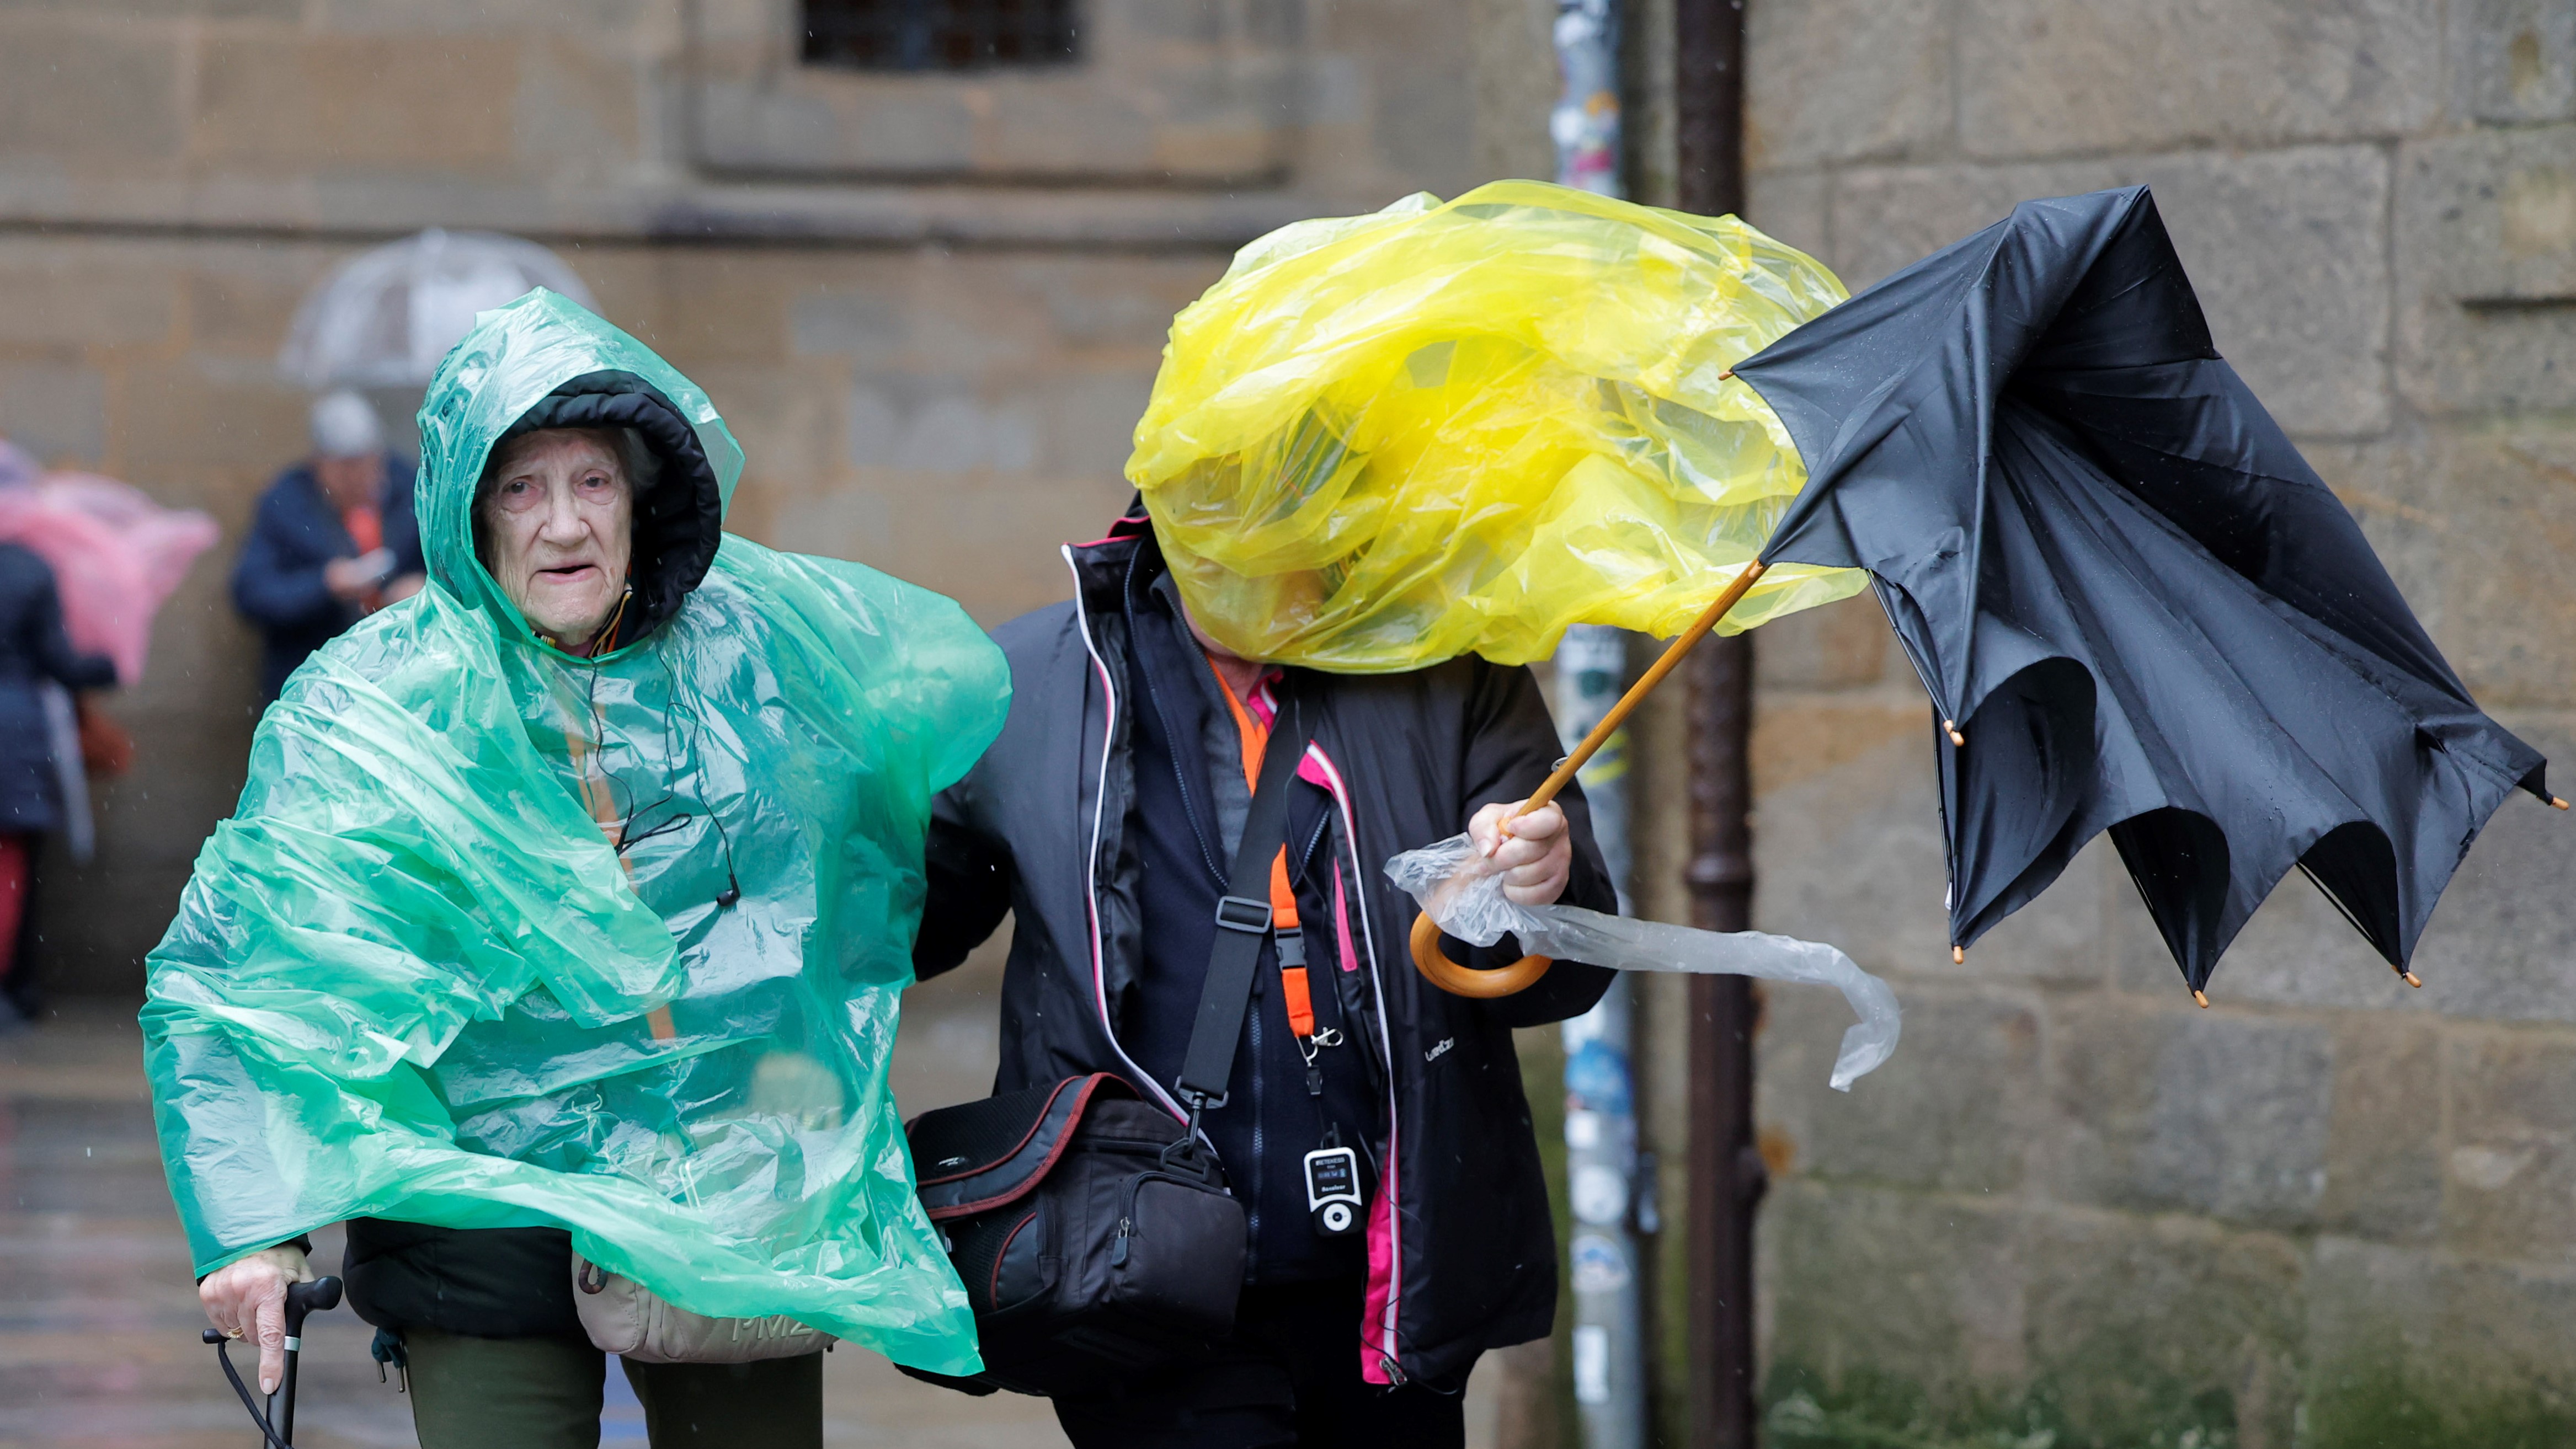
(99, 1322)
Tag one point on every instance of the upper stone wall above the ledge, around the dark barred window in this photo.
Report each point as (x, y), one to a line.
(1181, 122)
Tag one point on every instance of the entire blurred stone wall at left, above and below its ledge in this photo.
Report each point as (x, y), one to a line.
(931, 305)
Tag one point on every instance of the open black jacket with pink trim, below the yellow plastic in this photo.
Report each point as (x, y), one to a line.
(1462, 1250)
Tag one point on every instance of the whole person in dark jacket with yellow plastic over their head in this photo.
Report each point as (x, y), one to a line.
(1387, 462)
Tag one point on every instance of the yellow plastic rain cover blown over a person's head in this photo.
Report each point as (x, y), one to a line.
(1459, 429)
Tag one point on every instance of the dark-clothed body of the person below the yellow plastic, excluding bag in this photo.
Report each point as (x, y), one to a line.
(1106, 820)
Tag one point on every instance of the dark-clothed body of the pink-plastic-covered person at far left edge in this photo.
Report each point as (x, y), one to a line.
(35, 650)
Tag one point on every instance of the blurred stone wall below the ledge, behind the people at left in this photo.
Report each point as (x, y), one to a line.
(944, 416)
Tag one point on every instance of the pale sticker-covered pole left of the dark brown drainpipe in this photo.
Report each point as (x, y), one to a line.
(1591, 668)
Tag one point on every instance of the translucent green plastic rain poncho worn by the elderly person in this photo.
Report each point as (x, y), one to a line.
(413, 979)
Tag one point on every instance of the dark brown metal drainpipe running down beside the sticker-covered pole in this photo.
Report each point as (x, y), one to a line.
(1727, 1175)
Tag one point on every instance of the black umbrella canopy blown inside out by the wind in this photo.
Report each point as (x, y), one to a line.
(2134, 604)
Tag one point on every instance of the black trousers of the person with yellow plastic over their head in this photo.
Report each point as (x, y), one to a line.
(1289, 1378)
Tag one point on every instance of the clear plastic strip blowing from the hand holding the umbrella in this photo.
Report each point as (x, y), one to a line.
(1462, 889)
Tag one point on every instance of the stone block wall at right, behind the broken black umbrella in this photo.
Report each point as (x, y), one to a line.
(2327, 1211)
